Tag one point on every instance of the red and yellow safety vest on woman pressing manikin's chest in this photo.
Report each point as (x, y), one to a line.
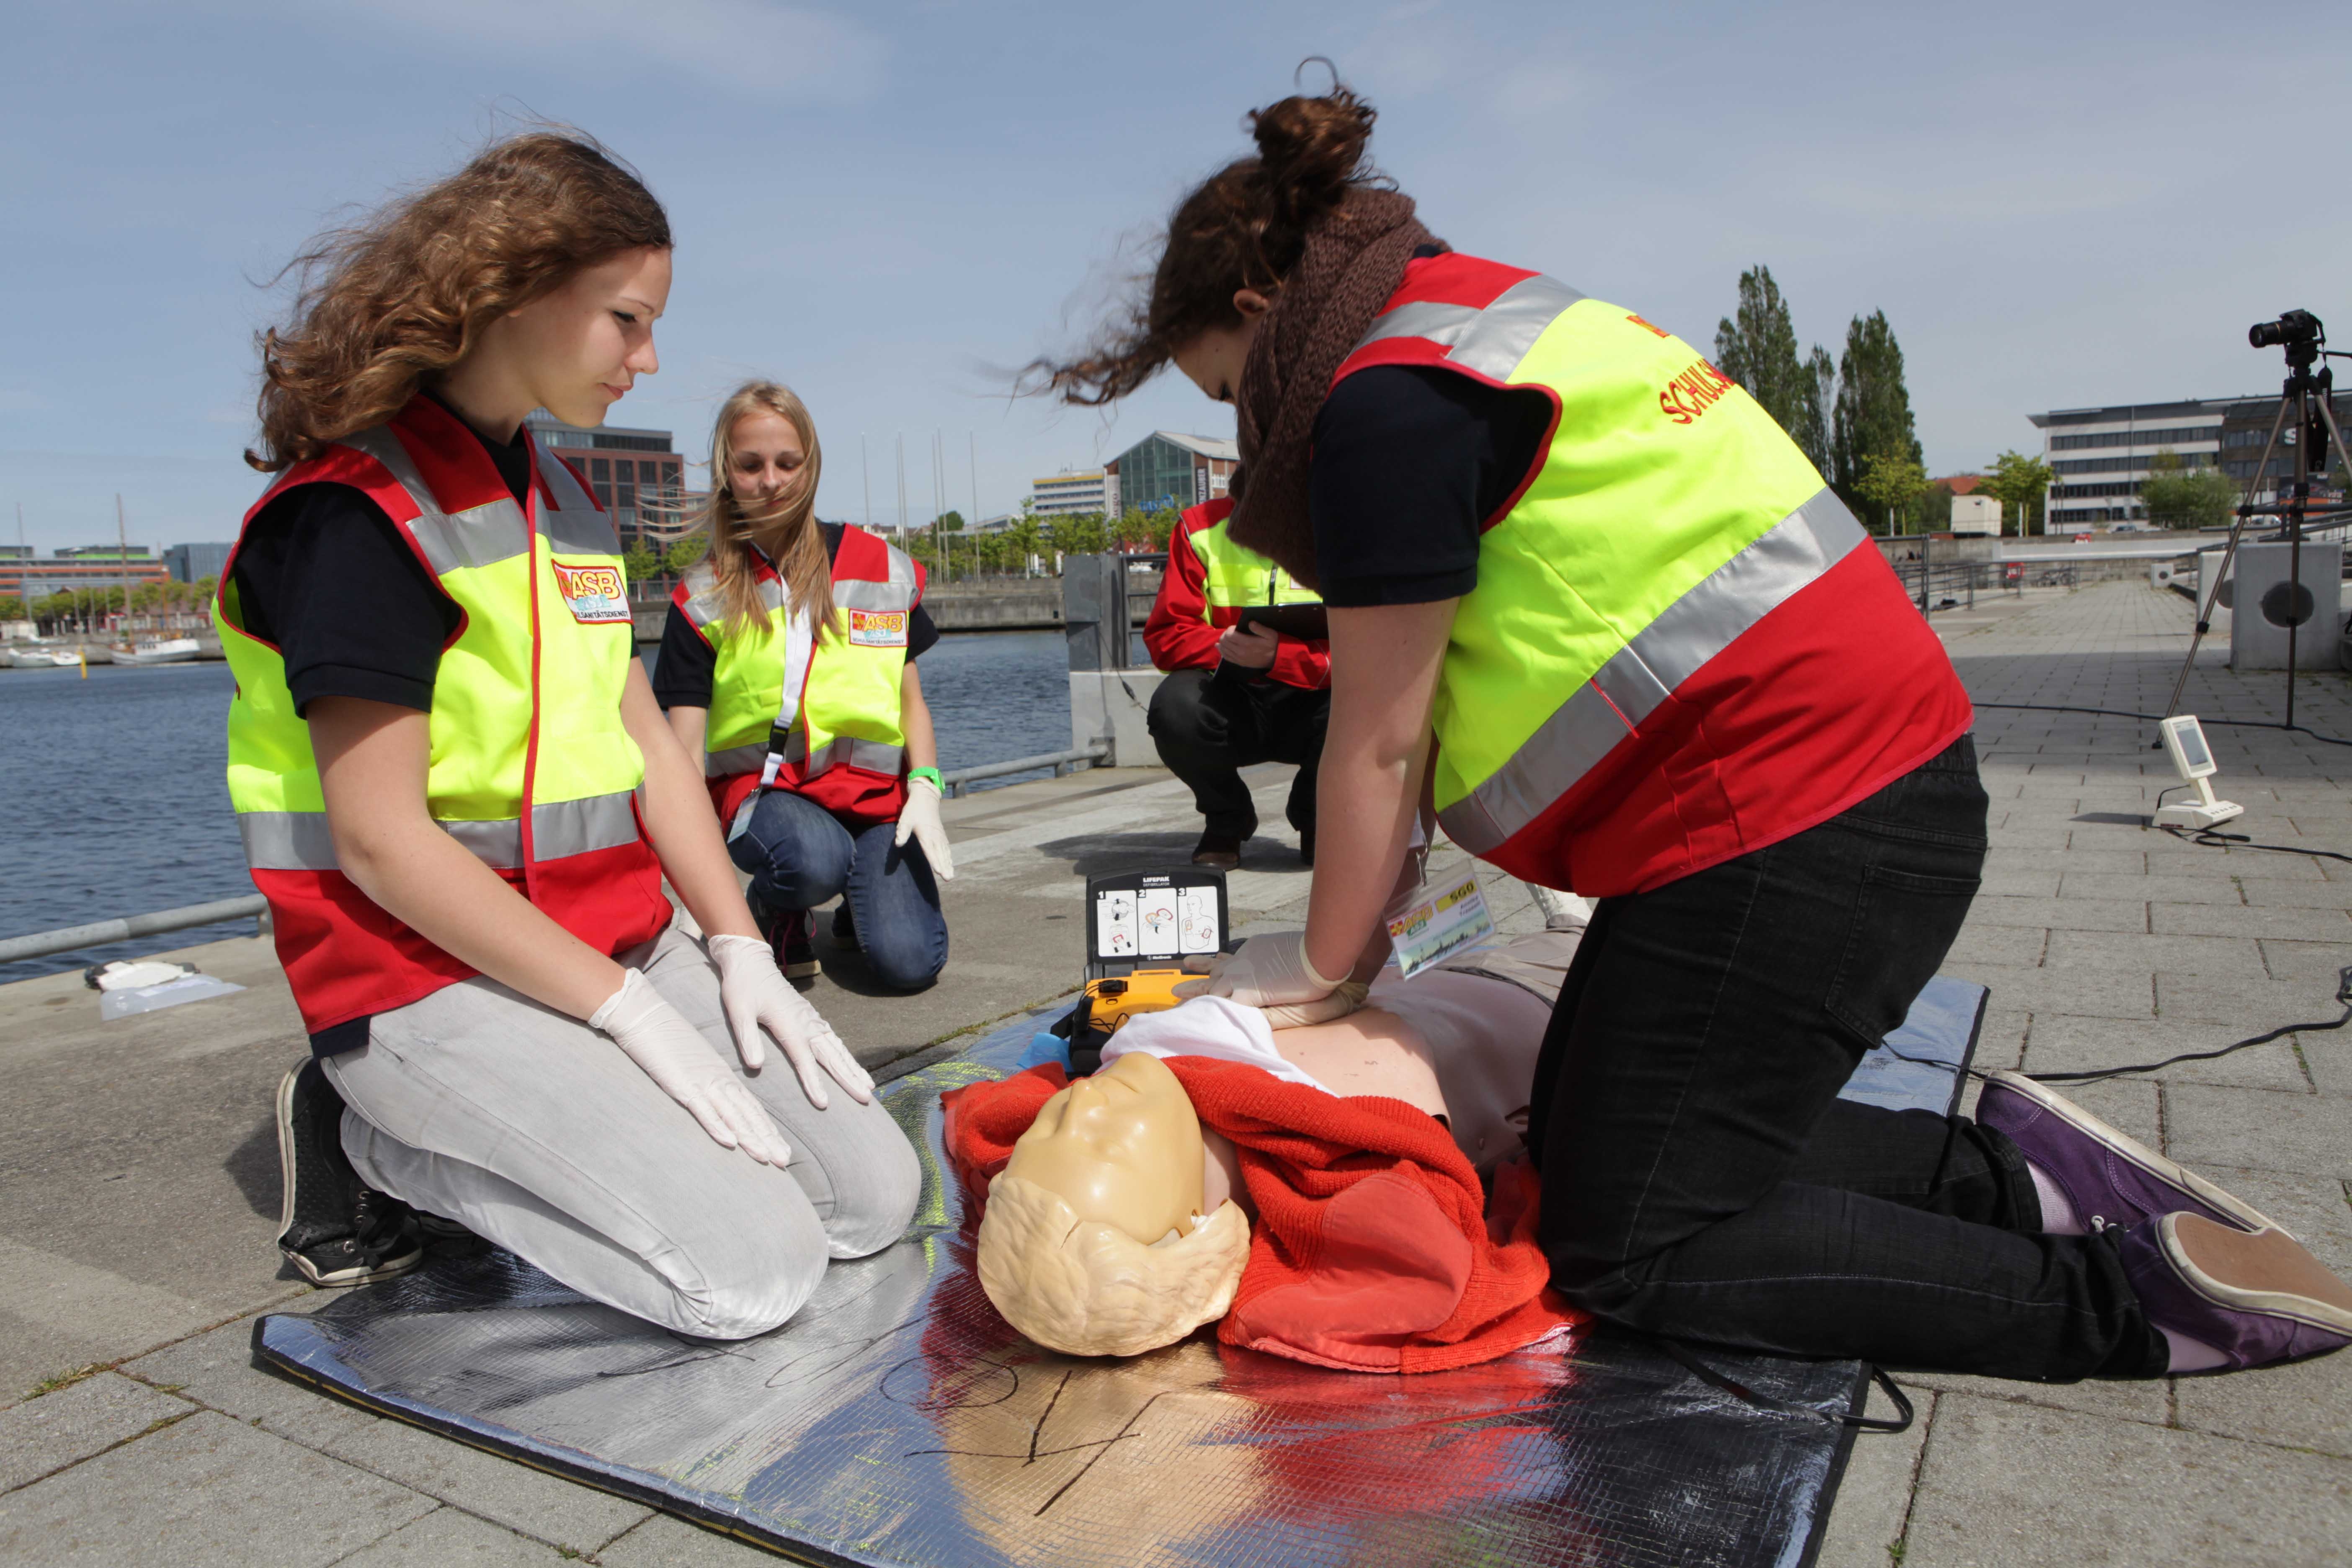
(1681, 645)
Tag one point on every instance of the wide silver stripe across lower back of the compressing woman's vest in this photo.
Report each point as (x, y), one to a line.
(1641, 676)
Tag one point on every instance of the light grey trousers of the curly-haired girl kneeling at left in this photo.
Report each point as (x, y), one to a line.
(540, 1137)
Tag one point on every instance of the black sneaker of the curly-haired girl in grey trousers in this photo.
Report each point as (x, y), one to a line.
(333, 1231)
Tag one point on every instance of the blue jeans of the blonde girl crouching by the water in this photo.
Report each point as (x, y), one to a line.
(799, 857)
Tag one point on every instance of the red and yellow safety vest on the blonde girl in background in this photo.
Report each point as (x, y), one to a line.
(815, 716)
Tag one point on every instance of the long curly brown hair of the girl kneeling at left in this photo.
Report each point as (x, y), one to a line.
(408, 293)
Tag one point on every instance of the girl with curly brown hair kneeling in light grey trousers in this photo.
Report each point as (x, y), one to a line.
(462, 803)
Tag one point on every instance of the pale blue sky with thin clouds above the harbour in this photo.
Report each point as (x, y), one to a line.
(890, 203)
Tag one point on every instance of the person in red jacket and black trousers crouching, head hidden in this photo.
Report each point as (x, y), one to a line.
(1234, 695)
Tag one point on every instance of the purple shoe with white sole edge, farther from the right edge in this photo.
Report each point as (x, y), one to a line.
(2109, 1177)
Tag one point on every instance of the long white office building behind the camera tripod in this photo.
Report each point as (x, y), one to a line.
(2102, 457)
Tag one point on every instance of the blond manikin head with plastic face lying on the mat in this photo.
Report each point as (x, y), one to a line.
(1095, 1242)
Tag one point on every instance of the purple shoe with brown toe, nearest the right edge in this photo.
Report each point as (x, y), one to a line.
(2257, 1299)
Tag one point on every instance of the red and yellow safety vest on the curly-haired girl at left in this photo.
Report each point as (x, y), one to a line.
(530, 765)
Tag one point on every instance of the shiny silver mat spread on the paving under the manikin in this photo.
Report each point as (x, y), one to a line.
(900, 1421)
